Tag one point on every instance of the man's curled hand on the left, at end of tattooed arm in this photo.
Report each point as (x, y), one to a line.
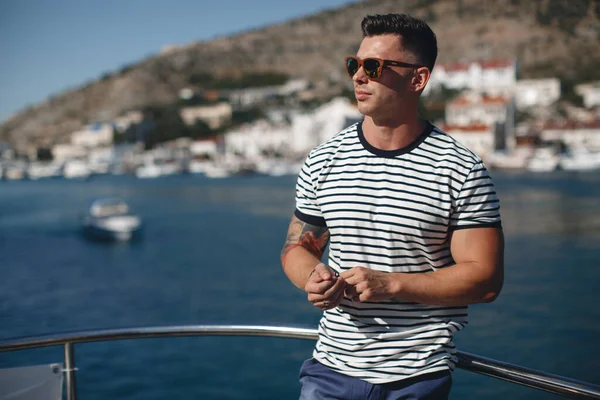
(325, 289)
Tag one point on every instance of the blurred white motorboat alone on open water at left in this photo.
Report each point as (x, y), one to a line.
(111, 219)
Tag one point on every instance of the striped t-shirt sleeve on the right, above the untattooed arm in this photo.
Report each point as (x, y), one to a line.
(477, 204)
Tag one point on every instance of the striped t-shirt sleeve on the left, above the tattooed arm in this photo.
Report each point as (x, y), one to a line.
(307, 207)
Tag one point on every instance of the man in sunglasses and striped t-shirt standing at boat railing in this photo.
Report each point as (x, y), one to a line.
(413, 226)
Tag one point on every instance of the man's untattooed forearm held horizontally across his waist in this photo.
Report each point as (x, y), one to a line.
(457, 285)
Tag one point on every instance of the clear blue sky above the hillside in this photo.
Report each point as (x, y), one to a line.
(49, 46)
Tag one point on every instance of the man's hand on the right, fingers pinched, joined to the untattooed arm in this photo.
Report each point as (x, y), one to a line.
(363, 284)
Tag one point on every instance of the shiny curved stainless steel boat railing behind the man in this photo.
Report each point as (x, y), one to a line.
(513, 373)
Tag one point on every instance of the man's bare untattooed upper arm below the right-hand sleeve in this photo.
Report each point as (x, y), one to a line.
(484, 249)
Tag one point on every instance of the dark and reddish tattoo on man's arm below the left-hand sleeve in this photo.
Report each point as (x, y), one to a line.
(312, 238)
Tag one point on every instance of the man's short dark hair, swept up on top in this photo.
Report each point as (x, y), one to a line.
(417, 36)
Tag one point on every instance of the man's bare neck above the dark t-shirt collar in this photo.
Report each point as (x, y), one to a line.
(392, 135)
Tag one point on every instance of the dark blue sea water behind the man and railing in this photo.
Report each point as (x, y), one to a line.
(210, 255)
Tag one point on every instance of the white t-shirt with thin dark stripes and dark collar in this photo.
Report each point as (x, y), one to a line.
(392, 211)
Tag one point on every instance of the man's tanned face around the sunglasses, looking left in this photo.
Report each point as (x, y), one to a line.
(383, 97)
